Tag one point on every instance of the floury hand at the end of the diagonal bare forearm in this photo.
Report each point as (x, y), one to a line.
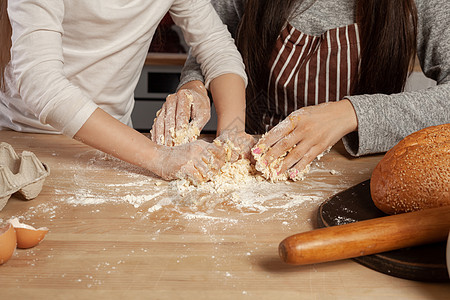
(197, 162)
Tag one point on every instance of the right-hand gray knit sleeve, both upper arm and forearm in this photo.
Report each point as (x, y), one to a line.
(383, 120)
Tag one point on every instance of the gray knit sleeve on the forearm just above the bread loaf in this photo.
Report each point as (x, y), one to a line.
(383, 120)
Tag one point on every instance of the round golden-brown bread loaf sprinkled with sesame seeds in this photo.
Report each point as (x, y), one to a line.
(415, 173)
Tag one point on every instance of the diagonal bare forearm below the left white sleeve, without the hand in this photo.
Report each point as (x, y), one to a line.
(109, 135)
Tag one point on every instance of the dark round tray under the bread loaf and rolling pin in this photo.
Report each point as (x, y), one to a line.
(420, 263)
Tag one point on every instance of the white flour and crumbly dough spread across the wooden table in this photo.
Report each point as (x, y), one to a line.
(237, 188)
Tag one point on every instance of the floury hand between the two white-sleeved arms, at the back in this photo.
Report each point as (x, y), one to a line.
(190, 104)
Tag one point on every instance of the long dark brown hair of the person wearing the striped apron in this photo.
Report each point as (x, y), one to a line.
(388, 42)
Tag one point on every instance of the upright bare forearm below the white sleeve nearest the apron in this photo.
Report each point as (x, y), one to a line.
(228, 92)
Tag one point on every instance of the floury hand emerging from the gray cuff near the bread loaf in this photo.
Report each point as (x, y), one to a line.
(307, 133)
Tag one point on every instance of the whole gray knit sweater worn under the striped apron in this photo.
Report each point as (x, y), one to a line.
(383, 120)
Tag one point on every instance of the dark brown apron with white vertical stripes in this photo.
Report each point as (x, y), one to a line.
(308, 70)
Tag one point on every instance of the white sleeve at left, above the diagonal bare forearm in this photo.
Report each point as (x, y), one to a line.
(37, 61)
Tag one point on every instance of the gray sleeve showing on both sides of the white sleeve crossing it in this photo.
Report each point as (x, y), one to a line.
(230, 13)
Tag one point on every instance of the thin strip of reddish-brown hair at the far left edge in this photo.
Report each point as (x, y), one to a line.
(5, 40)
